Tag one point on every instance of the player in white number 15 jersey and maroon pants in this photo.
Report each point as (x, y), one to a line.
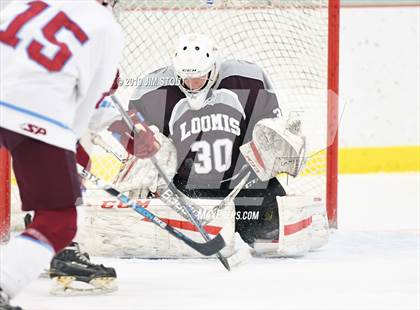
(58, 59)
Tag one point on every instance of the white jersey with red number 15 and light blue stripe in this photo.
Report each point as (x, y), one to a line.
(58, 58)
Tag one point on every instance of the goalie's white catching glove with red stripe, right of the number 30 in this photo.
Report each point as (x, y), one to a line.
(277, 147)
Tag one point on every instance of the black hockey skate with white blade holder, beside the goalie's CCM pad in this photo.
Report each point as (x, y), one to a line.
(75, 274)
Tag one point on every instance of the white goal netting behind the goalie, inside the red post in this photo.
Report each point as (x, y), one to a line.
(287, 38)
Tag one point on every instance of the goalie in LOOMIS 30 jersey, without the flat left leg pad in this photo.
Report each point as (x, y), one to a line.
(222, 117)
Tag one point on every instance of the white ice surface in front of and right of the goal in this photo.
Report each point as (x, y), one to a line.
(371, 262)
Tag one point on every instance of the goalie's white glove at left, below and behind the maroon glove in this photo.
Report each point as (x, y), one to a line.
(139, 176)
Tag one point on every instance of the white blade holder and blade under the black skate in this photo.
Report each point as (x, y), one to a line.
(69, 286)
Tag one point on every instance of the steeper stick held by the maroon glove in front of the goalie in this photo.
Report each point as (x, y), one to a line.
(172, 190)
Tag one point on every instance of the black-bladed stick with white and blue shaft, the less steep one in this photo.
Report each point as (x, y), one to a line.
(208, 248)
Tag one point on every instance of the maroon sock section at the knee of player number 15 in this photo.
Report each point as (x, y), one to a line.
(57, 226)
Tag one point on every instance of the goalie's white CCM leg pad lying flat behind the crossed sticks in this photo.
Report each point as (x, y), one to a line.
(112, 229)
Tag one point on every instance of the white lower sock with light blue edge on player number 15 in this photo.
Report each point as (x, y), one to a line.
(22, 260)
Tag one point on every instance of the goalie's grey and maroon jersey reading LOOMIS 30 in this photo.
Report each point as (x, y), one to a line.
(207, 140)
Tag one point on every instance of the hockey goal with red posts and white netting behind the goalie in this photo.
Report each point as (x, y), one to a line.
(294, 41)
